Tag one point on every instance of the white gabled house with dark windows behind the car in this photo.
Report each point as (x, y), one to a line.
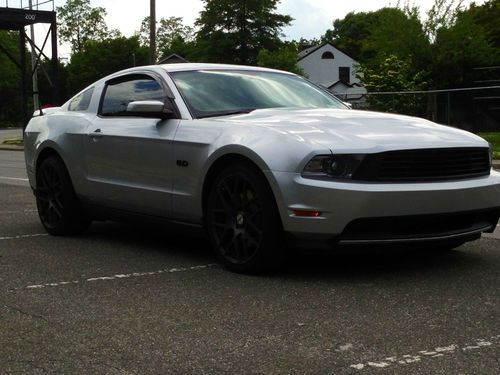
(329, 67)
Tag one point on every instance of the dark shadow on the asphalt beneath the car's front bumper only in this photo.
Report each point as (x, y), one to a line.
(369, 264)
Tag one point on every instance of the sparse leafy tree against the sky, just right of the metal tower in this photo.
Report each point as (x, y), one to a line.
(79, 23)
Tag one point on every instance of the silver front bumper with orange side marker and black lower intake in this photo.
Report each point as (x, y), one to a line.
(342, 204)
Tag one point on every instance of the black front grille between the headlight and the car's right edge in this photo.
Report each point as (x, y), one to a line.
(424, 165)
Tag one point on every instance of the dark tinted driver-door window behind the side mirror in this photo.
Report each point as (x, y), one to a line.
(119, 94)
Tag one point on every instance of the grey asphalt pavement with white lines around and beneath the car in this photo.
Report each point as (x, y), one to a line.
(127, 300)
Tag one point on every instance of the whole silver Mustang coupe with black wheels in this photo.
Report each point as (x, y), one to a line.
(253, 154)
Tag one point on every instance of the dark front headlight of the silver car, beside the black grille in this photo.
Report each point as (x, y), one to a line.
(327, 167)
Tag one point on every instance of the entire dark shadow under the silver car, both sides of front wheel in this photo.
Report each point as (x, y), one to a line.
(361, 264)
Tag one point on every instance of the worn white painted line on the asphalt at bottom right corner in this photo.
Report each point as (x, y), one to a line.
(427, 354)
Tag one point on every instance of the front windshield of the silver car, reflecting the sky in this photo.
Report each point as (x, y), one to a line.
(222, 92)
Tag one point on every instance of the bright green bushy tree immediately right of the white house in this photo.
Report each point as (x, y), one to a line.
(393, 75)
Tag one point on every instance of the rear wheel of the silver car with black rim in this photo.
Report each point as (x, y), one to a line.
(58, 207)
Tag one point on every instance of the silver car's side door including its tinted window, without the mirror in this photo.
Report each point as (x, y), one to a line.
(129, 158)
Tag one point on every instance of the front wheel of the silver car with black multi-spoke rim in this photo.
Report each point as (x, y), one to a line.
(242, 220)
